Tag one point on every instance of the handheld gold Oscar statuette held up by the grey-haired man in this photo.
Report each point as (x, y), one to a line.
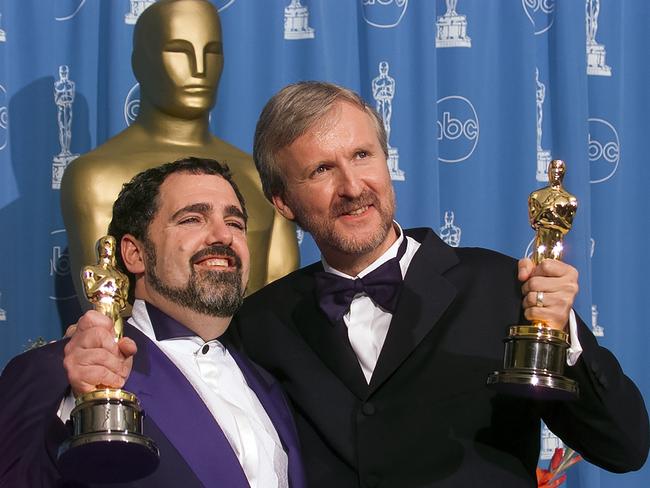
(535, 354)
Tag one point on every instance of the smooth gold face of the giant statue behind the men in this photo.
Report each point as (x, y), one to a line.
(184, 60)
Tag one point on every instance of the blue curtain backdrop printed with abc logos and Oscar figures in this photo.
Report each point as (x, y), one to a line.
(478, 96)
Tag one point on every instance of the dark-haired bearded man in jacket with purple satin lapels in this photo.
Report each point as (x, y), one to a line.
(217, 418)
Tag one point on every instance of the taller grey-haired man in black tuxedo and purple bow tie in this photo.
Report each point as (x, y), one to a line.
(385, 345)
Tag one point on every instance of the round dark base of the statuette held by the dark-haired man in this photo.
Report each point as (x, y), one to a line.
(107, 445)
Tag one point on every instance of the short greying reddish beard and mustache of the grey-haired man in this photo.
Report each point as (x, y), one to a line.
(324, 232)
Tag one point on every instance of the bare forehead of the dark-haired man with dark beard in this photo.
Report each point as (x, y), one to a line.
(182, 189)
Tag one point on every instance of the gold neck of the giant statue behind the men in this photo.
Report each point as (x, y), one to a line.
(173, 130)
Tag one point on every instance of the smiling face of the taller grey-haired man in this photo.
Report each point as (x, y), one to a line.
(337, 185)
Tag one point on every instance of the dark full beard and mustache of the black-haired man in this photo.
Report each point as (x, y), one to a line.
(209, 292)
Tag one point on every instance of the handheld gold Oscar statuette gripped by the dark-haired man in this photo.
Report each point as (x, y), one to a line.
(108, 445)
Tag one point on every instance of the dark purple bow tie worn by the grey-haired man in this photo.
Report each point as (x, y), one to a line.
(335, 293)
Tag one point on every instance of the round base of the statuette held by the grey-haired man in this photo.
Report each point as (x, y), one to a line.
(533, 365)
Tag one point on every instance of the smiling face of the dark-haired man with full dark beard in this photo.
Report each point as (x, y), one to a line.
(196, 254)
